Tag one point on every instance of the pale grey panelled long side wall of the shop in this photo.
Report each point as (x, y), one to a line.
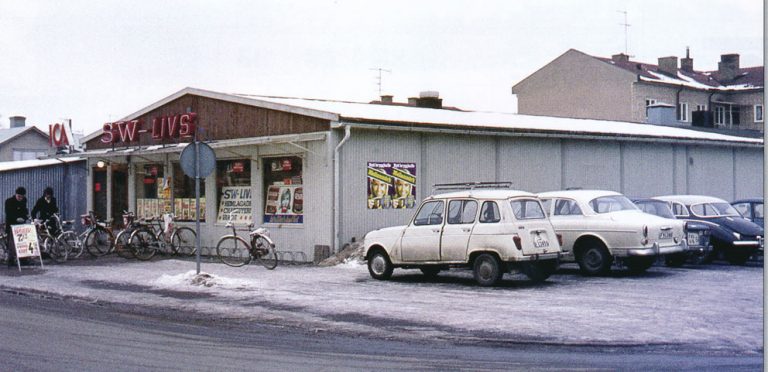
(637, 169)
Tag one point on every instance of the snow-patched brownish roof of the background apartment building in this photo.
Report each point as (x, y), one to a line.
(746, 78)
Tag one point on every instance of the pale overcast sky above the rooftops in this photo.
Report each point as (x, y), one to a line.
(99, 61)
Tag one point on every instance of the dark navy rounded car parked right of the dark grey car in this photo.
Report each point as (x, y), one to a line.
(733, 237)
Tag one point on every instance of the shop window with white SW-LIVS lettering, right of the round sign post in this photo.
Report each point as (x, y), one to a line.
(233, 191)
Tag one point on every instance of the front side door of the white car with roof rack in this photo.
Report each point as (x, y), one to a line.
(421, 239)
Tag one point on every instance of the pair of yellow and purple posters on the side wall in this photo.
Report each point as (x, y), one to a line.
(391, 185)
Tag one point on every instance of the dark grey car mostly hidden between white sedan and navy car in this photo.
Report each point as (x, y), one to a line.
(696, 233)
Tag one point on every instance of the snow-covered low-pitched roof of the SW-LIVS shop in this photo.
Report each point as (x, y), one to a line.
(417, 118)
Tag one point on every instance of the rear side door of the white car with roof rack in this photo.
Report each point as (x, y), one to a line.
(457, 230)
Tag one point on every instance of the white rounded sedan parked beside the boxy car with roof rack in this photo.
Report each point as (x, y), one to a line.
(600, 228)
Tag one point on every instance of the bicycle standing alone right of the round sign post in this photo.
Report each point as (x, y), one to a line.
(234, 251)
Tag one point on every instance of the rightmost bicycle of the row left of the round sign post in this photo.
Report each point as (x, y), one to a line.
(150, 238)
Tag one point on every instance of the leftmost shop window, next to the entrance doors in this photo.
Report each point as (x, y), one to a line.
(153, 191)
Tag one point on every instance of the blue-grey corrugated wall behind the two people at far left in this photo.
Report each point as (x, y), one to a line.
(69, 183)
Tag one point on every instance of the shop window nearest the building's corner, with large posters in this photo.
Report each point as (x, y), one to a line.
(284, 190)
